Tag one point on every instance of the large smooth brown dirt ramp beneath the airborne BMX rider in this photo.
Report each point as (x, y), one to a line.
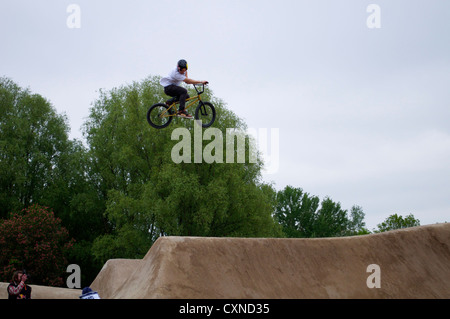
(413, 263)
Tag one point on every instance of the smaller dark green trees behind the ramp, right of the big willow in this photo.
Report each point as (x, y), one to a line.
(299, 215)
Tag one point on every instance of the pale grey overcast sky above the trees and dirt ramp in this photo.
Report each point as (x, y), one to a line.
(362, 113)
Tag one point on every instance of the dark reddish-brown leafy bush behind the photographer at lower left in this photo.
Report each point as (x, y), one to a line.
(34, 239)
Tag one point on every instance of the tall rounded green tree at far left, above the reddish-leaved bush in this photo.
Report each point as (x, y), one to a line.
(32, 139)
